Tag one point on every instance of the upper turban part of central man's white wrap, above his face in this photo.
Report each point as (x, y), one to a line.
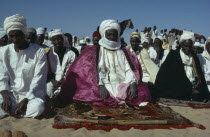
(109, 24)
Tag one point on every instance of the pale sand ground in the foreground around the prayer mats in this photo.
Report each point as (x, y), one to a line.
(43, 127)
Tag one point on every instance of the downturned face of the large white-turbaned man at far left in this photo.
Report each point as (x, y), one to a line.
(17, 37)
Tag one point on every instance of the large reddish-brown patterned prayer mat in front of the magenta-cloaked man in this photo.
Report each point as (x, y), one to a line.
(152, 116)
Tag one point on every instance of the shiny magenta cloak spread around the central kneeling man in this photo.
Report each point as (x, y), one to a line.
(81, 82)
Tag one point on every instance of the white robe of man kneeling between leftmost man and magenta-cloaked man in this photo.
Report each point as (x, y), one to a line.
(58, 69)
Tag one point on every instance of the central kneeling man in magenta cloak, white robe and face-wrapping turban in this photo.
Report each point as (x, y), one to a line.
(107, 75)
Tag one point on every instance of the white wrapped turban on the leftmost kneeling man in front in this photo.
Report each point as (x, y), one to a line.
(15, 22)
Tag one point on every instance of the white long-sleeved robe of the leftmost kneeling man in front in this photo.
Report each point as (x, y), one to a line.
(24, 75)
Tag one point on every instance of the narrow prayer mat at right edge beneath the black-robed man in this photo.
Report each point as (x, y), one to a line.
(184, 103)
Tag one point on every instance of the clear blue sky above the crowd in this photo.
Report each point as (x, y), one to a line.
(81, 17)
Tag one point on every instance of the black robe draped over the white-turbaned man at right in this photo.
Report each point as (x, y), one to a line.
(172, 82)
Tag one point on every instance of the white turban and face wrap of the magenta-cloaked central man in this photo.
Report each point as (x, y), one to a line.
(104, 42)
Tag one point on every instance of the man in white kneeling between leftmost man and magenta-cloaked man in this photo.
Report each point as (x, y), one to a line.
(60, 59)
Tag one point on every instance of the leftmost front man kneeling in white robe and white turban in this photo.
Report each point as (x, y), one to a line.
(23, 72)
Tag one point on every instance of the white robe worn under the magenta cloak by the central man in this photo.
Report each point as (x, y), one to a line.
(114, 71)
